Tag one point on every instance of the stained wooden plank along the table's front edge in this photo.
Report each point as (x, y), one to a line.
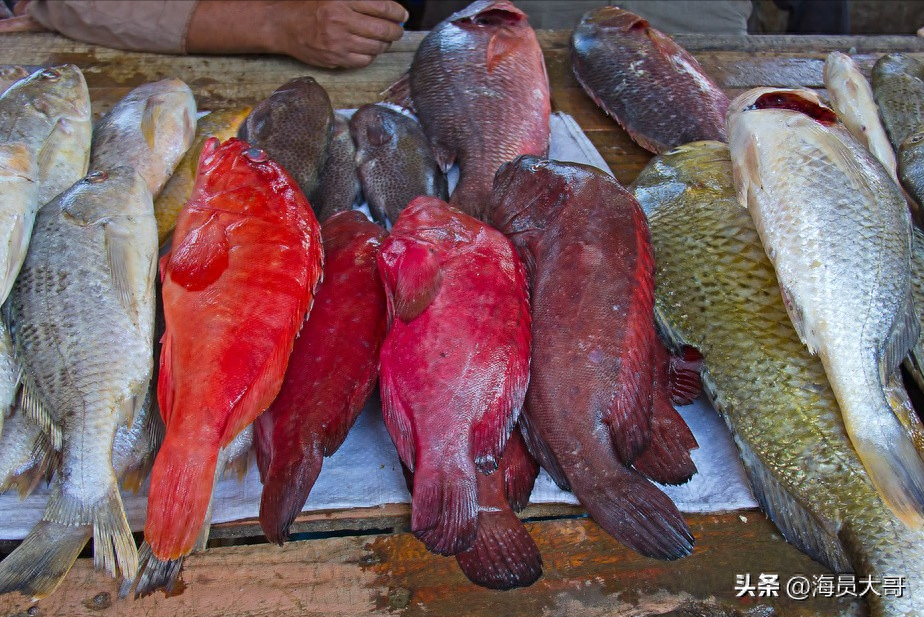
(586, 573)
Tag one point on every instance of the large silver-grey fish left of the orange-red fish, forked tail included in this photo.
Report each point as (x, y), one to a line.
(86, 365)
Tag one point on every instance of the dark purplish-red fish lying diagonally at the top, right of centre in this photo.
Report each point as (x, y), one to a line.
(654, 89)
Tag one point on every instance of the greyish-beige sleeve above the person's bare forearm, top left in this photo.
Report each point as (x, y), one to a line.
(138, 25)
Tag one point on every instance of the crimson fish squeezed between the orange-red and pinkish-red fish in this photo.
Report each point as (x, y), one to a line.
(331, 372)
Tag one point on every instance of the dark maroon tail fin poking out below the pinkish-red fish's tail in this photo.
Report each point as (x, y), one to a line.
(504, 555)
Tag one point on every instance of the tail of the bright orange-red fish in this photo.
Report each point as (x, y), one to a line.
(180, 492)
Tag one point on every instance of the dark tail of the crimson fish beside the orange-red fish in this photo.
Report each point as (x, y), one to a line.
(285, 489)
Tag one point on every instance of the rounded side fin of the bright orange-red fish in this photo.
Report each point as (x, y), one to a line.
(201, 258)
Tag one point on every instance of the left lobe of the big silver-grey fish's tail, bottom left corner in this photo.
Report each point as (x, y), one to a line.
(38, 565)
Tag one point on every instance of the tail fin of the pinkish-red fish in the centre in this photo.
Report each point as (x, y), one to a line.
(444, 505)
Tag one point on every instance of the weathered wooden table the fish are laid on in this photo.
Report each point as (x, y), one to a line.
(364, 561)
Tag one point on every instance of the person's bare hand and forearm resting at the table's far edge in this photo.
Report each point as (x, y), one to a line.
(323, 33)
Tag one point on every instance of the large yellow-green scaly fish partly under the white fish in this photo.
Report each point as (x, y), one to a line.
(718, 292)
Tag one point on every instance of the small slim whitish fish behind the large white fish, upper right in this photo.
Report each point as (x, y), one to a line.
(852, 100)
